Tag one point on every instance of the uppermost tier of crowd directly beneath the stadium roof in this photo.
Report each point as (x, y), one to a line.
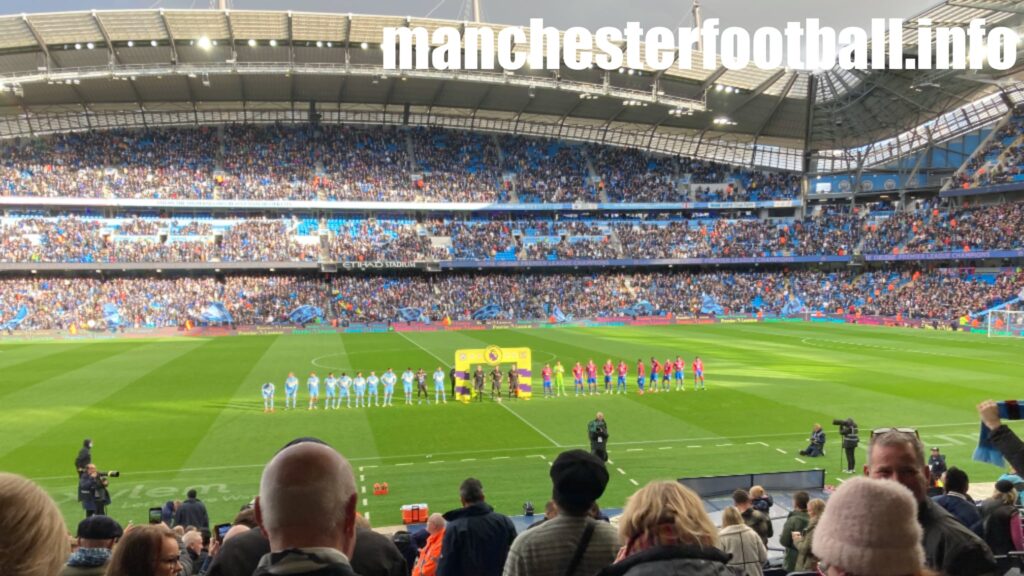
(340, 162)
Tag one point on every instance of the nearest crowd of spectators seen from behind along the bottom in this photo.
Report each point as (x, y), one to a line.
(908, 516)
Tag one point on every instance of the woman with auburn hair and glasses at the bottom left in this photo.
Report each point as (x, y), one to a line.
(151, 550)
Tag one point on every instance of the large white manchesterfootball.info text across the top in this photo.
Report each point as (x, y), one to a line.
(801, 46)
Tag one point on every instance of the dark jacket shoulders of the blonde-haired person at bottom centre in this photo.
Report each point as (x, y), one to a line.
(662, 561)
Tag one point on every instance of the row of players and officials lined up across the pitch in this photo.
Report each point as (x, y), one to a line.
(366, 390)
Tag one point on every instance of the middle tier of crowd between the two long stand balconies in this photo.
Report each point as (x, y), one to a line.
(833, 232)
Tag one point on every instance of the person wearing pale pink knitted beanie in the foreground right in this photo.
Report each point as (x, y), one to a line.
(869, 528)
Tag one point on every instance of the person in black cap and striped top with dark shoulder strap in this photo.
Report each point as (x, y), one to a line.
(578, 480)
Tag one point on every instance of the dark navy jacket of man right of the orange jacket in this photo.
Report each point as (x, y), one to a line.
(477, 542)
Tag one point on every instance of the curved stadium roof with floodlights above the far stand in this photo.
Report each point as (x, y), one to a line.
(71, 71)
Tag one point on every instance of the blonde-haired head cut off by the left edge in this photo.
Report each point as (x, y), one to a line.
(33, 536)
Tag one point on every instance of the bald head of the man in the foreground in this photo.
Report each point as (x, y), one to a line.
(308, 500)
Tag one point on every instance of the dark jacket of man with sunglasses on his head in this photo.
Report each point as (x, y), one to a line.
(950, 547)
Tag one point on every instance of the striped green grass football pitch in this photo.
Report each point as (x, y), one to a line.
(180, 414)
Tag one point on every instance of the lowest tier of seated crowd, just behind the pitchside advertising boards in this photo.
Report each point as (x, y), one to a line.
(62, 303)
